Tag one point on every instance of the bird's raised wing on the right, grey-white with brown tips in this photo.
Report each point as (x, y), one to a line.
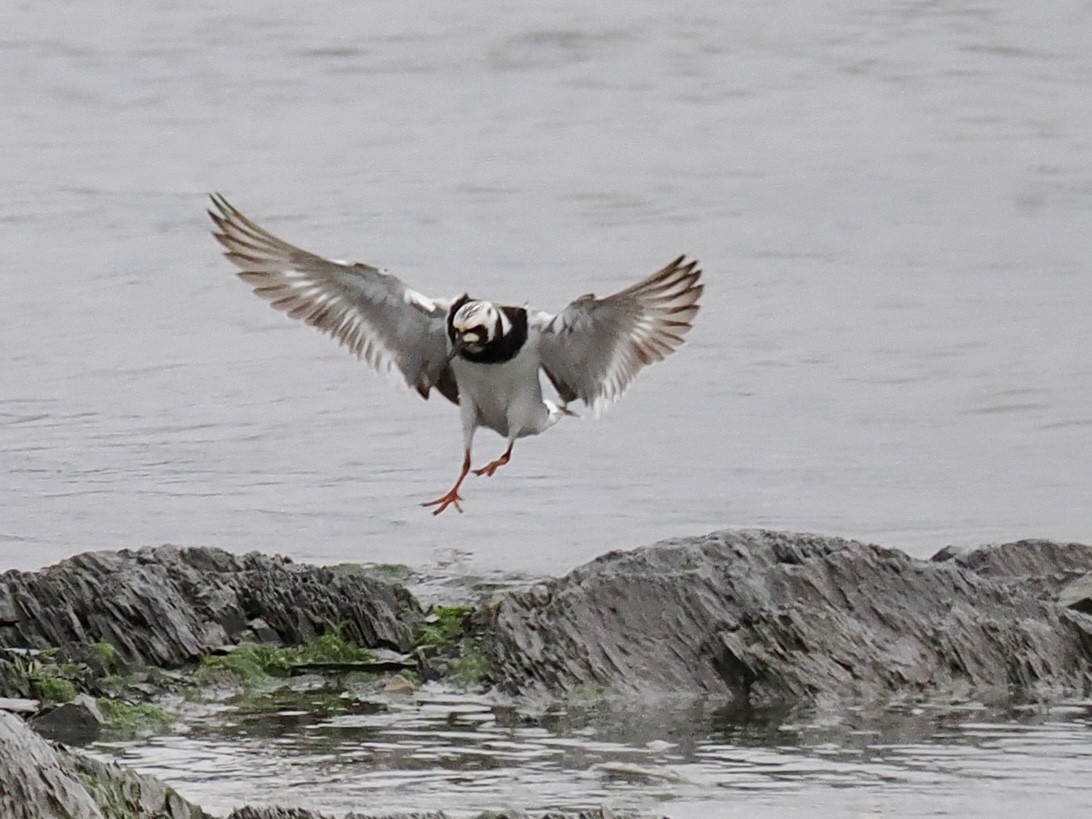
(596, 347)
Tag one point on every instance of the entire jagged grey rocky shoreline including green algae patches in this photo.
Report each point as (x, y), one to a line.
(751, 620)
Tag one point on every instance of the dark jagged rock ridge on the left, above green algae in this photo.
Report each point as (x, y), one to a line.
(168, 606)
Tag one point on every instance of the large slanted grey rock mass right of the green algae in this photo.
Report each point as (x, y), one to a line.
(762, 618)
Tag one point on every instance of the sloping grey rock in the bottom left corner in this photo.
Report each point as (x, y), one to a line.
(41, 782)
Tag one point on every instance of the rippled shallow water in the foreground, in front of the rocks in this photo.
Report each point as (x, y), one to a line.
(461, 754)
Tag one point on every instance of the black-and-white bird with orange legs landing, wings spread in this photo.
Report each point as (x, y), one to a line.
(482, 357)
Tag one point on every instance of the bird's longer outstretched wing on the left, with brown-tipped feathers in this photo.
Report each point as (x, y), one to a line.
(370, 312)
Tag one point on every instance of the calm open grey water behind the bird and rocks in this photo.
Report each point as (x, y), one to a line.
(893, 204)
